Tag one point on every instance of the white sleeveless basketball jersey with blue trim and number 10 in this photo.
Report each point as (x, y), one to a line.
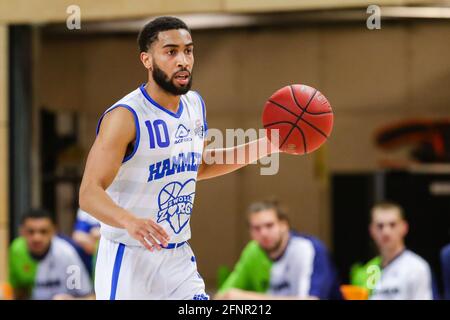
(157, 178)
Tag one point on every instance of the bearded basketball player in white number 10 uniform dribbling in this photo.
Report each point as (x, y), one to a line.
(142, 170)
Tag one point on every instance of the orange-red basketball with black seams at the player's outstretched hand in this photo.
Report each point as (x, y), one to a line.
(303, 117)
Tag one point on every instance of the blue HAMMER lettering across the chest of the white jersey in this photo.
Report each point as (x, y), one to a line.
(182, 162)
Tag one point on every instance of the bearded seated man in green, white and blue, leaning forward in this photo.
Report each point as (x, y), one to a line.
(278, 263)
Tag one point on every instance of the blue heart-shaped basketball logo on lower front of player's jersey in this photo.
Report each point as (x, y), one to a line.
(175, 201)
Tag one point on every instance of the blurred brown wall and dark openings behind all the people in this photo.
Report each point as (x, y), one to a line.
(389, 89)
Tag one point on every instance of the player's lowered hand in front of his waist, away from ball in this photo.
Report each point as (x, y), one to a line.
(147, 232)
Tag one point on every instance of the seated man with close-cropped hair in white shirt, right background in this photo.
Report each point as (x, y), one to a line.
(403, 275)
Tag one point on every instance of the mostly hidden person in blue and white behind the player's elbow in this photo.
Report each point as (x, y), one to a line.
(86, 233)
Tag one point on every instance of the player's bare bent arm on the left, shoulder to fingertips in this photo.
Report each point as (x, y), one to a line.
(117, 131)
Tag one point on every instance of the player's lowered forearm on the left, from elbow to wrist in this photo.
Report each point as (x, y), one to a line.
(95, 201)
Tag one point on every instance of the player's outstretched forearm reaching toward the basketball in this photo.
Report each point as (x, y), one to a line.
(217, 162)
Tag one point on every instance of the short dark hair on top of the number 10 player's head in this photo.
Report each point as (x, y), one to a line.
(150, 31)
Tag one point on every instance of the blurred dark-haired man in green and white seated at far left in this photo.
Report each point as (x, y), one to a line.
(43, 266)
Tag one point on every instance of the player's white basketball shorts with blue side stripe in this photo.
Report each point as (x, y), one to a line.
(132, 272)
